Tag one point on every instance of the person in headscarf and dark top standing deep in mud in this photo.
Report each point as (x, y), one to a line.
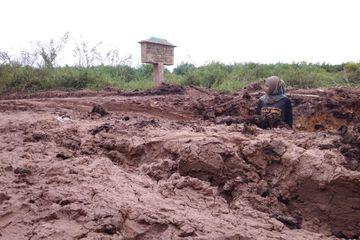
(275, 106)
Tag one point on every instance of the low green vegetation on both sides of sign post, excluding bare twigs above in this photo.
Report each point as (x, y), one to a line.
(214, 75)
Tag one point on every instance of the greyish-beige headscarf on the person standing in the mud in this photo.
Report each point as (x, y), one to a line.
(277, 90)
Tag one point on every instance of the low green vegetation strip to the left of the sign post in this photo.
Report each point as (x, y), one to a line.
(24, 78)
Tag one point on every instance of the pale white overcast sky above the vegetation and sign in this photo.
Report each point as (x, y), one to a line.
(265, 31)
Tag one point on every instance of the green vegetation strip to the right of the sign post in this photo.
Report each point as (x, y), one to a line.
(301, 75)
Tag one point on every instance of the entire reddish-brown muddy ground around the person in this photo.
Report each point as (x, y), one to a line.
(175, 163)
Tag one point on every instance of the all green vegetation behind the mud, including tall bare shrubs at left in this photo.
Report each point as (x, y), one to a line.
(38, 70)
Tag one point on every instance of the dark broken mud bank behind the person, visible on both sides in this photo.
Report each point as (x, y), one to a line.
(314, 110)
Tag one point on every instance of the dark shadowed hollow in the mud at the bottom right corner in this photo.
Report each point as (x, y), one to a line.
(336, 204)
